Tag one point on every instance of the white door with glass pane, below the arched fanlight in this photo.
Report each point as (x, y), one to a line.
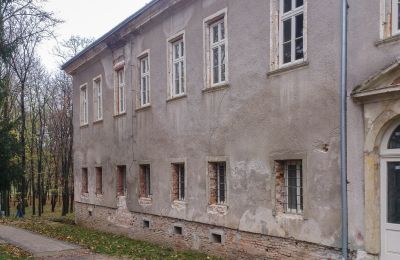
(390, 208)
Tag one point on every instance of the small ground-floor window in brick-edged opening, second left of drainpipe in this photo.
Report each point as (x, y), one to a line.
(217, 172)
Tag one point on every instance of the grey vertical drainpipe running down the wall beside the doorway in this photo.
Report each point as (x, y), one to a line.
(343, 129)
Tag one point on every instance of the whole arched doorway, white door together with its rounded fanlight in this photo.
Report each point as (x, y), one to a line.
(390, 193)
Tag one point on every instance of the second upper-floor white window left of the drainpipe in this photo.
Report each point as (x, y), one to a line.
(216, 49)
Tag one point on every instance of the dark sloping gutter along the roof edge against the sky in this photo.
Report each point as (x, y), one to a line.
(109, 33)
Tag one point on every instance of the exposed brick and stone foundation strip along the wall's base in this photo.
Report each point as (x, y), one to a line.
(213, 240)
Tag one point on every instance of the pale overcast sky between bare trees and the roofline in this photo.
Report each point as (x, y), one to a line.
(87, 18)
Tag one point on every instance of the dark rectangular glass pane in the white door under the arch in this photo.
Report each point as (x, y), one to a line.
(393, 193)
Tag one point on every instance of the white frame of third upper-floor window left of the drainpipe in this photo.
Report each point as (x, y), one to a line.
(181, 60)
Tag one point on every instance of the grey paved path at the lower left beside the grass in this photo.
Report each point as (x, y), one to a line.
(43, 247)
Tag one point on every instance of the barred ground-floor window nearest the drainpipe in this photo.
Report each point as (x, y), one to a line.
(293, 192)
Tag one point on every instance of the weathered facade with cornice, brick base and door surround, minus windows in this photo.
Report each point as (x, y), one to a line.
(263, 115)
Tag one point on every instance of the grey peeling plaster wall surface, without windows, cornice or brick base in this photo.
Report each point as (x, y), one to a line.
(255, 119)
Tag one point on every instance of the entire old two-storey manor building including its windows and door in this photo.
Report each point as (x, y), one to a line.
(214, 125)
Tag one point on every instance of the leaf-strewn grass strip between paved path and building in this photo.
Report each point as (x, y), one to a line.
(63, 228)
